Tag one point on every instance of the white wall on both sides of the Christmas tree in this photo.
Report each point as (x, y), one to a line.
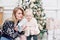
(52, 7)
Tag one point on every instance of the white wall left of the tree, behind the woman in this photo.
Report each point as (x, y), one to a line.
(8, 7)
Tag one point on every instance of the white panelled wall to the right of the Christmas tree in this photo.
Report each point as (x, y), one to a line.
(52, 8)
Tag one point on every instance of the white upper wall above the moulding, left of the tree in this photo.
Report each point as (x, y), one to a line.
(9, 3)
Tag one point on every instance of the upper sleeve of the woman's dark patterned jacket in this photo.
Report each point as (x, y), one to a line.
(8, 27)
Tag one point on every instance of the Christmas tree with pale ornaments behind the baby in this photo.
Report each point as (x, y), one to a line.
(38, 12)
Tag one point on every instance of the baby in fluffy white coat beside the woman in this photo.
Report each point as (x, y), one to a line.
(29, 24)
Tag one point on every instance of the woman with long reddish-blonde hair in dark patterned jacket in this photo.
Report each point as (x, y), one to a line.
(9, 26)
